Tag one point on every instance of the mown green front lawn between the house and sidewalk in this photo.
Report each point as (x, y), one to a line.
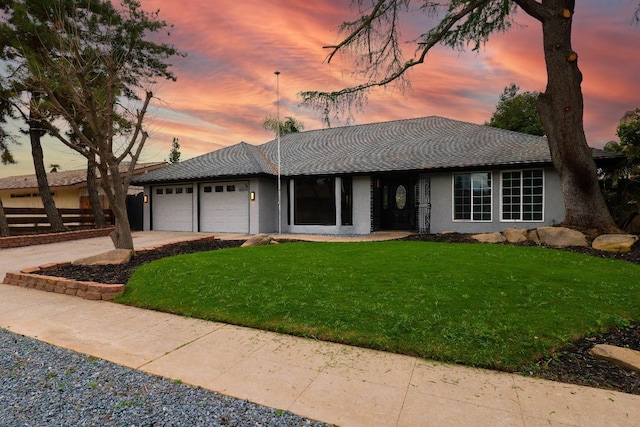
(494, 306)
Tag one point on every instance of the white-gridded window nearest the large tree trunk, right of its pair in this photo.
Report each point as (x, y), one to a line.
(523, 195)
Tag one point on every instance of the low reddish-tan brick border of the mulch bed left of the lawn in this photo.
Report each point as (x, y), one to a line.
(34, 278)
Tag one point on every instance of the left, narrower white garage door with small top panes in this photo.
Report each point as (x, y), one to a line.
(172, 208)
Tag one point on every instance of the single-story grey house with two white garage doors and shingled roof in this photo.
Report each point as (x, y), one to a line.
(428, 174)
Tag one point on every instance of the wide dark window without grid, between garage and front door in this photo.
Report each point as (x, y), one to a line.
(315, 201)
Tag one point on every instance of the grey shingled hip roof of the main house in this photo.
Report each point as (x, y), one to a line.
(427, 143)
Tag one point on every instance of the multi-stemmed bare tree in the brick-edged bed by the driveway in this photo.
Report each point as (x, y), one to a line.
(98, 77)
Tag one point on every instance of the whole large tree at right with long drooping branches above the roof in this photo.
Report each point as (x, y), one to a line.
(374, 38)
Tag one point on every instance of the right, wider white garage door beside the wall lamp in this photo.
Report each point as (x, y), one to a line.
(224, 207)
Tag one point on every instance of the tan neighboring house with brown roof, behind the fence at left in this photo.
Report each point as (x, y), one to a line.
(69, 188)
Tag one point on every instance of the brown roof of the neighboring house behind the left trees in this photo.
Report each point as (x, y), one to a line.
(72, 178)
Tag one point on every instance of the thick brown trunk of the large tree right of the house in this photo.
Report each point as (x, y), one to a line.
(561, 110)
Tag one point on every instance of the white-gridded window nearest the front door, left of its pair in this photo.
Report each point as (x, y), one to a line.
(472, 196)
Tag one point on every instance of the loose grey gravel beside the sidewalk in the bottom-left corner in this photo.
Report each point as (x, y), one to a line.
(44, 385)
